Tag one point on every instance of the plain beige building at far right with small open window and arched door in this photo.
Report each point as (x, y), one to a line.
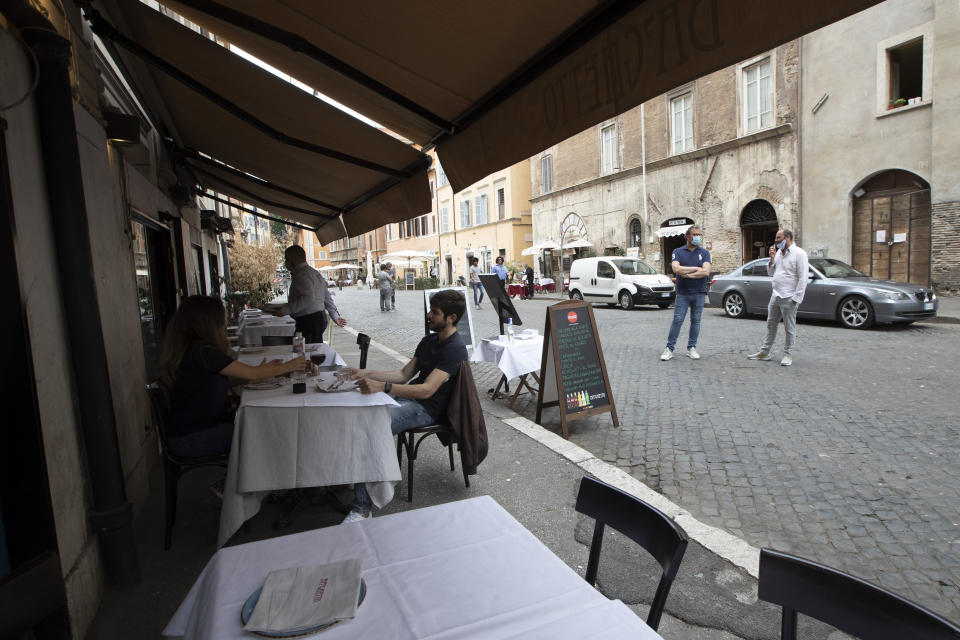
(881, 179)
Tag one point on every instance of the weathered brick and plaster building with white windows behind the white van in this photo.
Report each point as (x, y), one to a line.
(720, 152)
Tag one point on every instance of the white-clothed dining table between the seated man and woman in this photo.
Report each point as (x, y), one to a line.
(285, 440)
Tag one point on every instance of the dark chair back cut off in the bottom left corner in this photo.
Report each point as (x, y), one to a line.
(33, 601)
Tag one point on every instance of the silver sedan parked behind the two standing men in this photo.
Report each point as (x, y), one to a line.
(835, 291)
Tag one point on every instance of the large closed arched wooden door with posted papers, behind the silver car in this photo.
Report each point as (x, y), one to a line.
(891, 227)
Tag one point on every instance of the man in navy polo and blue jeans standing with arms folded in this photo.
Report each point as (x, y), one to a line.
(691, 266)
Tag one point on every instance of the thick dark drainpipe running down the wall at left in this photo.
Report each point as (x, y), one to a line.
(110, 513)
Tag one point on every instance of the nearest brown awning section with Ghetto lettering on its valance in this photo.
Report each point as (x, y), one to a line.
(500, 81)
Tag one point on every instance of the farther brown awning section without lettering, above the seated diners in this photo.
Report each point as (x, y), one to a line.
(228, 152)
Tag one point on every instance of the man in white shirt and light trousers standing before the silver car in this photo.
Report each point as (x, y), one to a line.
(788, 267)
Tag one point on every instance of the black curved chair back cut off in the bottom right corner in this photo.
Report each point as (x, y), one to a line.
(843, 601)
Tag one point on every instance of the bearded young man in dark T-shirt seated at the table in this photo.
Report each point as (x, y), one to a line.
(423, 400)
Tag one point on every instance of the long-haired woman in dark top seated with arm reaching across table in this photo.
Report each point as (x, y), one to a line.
(196, 366)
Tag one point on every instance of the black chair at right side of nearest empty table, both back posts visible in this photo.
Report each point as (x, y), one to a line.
(644, 524)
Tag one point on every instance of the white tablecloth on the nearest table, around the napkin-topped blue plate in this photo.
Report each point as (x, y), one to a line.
(463, 570)
